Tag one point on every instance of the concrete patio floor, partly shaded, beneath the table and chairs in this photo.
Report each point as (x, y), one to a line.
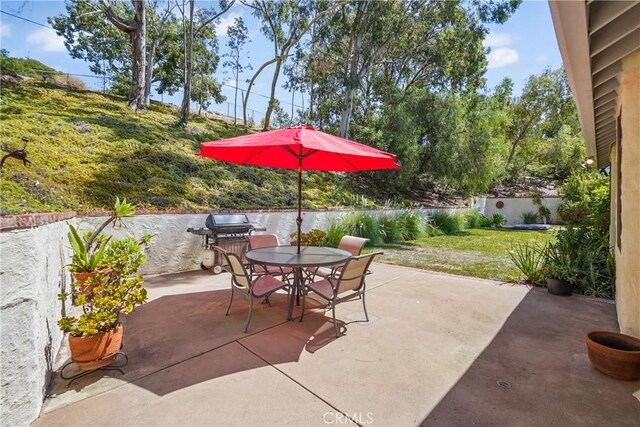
(433, 352)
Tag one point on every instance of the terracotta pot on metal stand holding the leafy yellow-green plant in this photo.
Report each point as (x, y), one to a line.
(96, 351)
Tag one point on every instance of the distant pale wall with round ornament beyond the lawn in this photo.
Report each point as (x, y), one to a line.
(514, 207)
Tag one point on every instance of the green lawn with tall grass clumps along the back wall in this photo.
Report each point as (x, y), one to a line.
(463, 242)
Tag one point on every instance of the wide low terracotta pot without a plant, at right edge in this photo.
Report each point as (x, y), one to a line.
(614, 354)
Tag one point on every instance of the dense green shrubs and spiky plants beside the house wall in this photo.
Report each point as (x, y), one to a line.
(579, 253)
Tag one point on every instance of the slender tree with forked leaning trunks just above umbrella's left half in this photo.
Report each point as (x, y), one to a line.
(284, 23)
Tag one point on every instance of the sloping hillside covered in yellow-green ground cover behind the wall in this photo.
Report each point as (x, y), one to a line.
(86, 148)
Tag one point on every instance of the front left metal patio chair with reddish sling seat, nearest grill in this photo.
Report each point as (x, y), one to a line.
(253, 286)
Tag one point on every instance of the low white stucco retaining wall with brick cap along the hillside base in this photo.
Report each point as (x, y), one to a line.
(35, 251)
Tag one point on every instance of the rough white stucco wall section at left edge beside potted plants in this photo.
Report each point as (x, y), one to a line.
(32, 274)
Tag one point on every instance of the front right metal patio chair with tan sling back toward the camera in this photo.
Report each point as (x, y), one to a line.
(351, 280)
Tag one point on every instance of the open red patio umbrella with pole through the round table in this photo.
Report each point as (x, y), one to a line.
(300, 147)
